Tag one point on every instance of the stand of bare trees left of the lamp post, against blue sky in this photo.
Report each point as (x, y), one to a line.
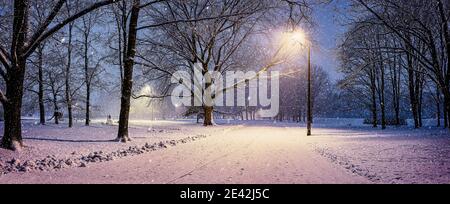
(60, 51)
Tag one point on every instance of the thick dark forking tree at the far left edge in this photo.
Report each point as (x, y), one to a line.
(23, 43)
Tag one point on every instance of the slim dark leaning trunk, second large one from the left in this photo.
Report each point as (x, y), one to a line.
(127, 84)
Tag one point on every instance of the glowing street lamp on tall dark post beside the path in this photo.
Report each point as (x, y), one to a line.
(298, 36)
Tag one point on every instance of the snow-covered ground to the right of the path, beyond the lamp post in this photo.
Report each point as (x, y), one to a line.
(389, 156)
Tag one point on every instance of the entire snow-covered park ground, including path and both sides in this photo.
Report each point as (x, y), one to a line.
(262, 152)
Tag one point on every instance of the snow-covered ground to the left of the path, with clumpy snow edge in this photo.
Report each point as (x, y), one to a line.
(56, 146)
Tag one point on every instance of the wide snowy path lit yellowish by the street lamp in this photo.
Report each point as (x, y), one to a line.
(250, 154)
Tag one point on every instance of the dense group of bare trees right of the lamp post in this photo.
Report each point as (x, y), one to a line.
(395, 54)
